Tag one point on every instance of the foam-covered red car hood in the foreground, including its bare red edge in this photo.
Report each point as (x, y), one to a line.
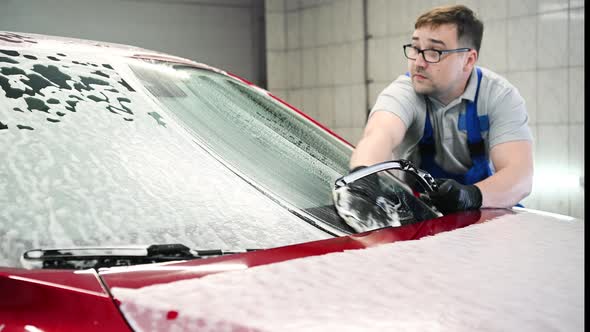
(519, 270)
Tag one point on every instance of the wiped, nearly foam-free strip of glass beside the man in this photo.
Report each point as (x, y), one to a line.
(270, 144)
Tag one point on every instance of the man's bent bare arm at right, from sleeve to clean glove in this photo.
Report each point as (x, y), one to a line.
(513, 179)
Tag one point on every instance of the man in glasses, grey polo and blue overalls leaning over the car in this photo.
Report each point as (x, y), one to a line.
(457, 121)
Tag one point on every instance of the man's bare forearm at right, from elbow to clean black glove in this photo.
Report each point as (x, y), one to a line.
(506, 188)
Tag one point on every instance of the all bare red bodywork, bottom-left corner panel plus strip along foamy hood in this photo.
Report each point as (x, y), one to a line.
(60, 300)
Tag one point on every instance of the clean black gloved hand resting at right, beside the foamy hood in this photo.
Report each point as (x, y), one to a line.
(453, 196)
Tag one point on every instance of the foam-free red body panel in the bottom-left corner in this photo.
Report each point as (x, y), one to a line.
(53, 300)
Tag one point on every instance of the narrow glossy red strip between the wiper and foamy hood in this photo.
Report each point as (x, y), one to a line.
(146, 275)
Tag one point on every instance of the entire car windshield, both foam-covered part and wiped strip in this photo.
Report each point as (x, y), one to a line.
(107, 151)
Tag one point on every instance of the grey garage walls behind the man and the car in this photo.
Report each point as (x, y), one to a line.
(331, 58)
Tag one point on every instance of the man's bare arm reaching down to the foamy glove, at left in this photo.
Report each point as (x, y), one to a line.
(383, 133)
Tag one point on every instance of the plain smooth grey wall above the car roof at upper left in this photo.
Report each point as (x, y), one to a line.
(224, 33)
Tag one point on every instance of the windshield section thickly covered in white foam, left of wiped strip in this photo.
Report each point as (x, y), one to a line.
(88, 159)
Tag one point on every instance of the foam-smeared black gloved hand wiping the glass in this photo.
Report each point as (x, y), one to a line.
(364, 206)
